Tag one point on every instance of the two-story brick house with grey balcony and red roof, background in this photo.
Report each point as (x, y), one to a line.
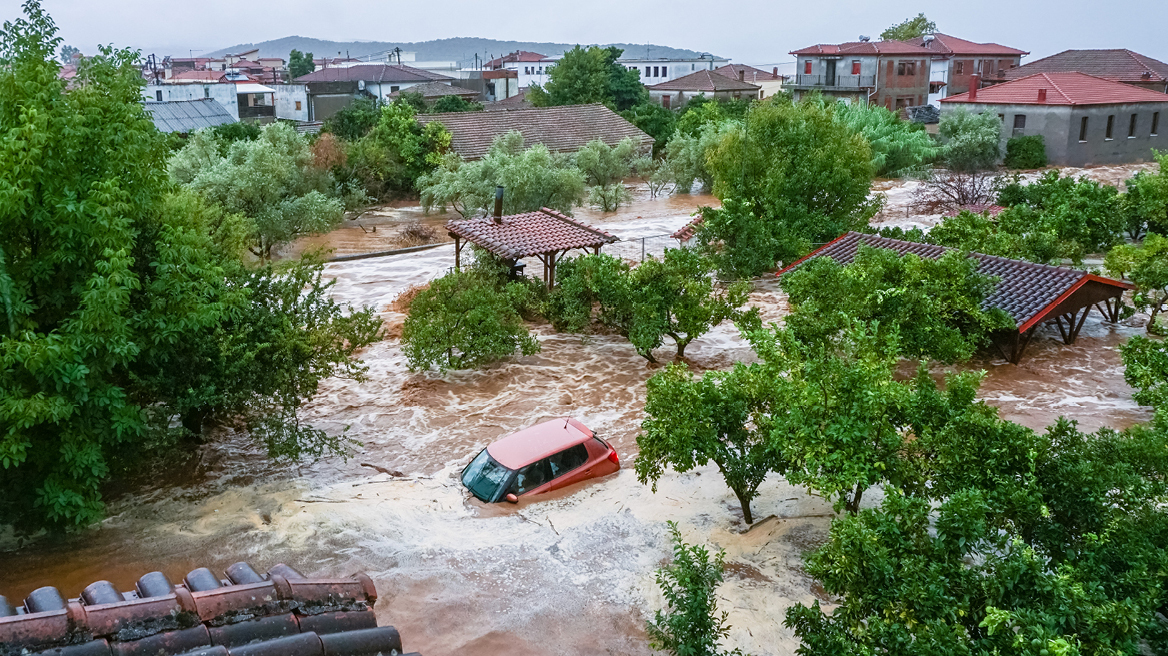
(893, 74)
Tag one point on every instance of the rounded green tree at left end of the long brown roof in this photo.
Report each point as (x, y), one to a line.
(398, 152)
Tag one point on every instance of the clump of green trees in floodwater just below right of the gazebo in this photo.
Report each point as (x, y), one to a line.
(675, 297)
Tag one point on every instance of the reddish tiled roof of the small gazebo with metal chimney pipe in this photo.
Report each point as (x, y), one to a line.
(531, 234)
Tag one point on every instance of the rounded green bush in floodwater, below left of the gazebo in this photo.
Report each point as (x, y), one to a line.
(462, 322)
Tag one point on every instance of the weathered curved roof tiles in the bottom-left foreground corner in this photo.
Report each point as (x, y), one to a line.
(246, 615)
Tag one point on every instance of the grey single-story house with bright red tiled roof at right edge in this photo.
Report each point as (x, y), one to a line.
(1083, 120)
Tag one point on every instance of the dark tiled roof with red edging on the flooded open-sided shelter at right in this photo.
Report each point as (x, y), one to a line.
(1026, 291)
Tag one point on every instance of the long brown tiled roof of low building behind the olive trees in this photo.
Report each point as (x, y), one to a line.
(564, 129)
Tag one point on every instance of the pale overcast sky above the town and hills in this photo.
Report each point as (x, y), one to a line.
(748, 31)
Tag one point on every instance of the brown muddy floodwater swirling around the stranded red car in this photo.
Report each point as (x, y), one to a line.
(567, 574)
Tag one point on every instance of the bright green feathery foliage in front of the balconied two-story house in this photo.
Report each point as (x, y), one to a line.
(899, 146)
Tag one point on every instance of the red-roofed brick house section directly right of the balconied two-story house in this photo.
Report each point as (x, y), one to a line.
(956, 61)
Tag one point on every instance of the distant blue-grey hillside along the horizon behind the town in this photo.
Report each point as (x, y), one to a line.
(462, 50)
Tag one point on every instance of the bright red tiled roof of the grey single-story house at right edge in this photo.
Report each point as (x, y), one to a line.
(1061, 89)
